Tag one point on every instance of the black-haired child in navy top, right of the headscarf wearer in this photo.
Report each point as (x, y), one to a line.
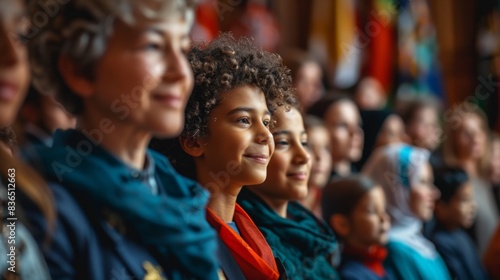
(455, 210)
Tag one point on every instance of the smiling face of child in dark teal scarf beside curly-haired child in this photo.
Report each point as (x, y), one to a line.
(288, 170)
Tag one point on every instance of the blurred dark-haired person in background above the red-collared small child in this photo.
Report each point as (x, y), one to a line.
(343, 121)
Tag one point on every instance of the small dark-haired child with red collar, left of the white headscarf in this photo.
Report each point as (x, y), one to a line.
(354, 207)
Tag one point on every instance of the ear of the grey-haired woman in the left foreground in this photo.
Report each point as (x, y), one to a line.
(75, 80)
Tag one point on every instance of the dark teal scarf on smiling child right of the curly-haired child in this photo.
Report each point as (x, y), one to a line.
(303, 243)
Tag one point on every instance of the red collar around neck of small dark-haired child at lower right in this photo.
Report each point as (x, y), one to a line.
(372, 258)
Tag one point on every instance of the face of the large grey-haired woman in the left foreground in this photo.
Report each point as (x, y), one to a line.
(143, 80)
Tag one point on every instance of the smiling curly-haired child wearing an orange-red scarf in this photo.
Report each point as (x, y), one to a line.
(226, 143)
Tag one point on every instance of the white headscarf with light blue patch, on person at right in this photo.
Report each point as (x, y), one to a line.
(396, 168)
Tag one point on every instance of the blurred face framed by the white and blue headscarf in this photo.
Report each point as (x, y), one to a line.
(423, 194)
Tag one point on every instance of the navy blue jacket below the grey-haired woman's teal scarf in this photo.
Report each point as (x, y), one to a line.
(78, 251)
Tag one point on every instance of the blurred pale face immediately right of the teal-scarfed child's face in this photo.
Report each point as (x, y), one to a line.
(321, 161)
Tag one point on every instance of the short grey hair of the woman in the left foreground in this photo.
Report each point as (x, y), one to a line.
(79, 30)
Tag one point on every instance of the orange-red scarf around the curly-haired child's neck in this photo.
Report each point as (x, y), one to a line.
(250, 250)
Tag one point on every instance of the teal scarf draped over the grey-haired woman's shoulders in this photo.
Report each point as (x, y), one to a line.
(173, 222)
